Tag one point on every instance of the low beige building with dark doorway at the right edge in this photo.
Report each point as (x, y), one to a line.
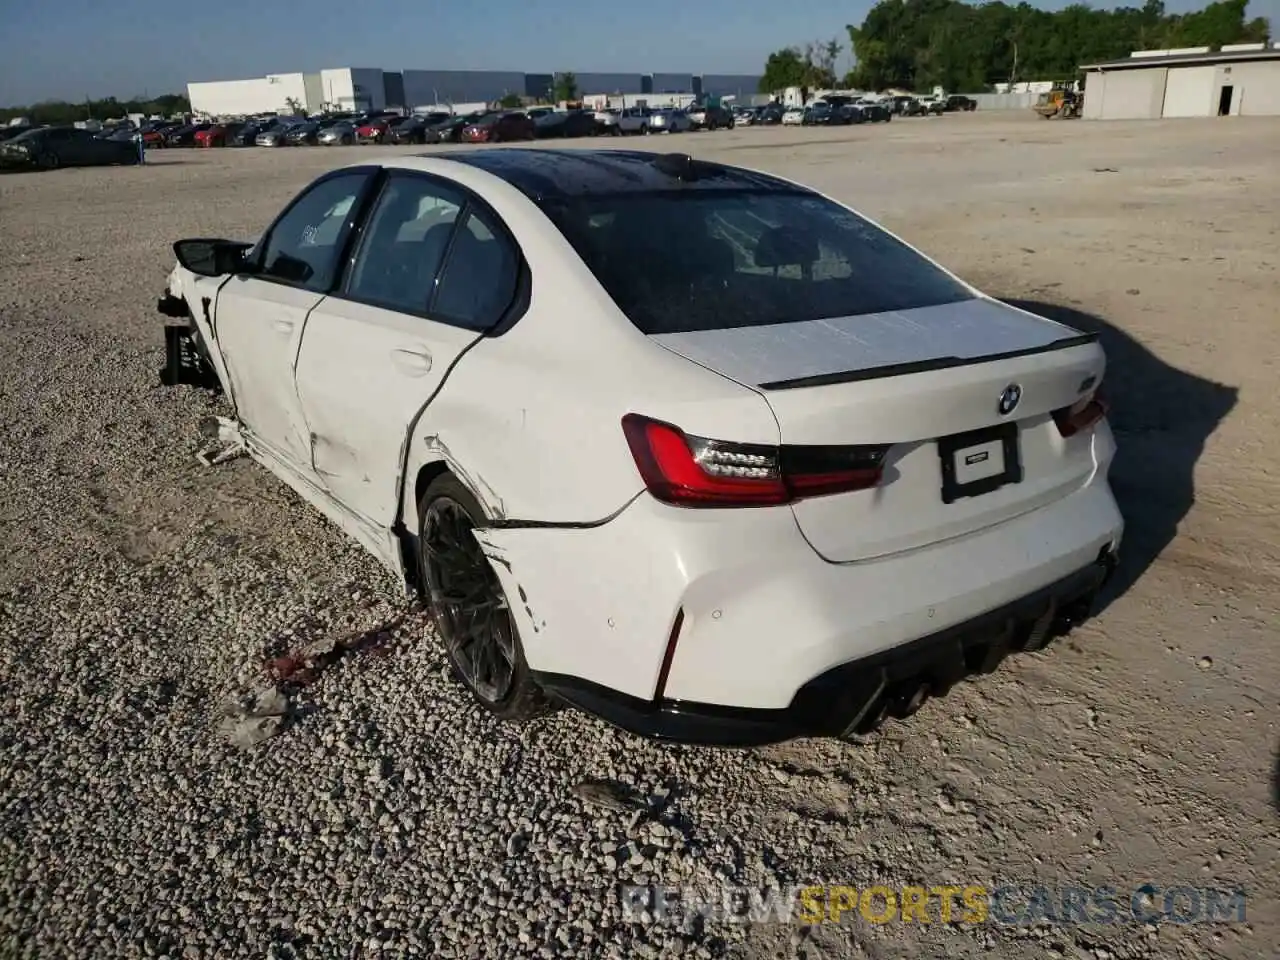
(1242, 80)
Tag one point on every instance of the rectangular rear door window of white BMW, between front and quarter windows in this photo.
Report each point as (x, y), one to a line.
(404, 245)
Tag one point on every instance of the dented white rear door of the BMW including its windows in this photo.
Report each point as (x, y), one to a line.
(435, 269)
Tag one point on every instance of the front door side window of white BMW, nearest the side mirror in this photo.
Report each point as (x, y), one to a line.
(304, 246)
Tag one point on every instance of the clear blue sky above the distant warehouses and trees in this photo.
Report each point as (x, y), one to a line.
(71, 49)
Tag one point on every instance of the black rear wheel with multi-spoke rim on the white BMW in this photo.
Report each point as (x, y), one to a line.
(487, 657)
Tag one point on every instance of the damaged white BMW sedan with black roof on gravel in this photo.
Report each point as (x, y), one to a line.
(694, 449)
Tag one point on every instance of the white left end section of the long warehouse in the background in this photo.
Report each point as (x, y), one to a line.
(341, 89)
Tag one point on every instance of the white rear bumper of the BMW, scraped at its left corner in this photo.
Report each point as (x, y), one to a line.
(761, 615)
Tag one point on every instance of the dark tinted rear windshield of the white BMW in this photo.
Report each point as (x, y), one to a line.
(682, 262)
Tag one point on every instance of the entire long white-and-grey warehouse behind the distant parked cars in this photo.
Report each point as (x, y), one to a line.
(369, 89)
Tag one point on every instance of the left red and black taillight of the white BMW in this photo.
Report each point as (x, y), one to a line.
(697, 472)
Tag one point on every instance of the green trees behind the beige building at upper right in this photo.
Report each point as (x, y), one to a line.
(921, 44)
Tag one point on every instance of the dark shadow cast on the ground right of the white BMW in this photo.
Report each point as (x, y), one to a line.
(1162, 418)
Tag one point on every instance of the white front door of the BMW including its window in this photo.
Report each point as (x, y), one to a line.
(260, 316)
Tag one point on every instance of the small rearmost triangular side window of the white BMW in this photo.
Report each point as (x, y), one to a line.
(481, 277)
